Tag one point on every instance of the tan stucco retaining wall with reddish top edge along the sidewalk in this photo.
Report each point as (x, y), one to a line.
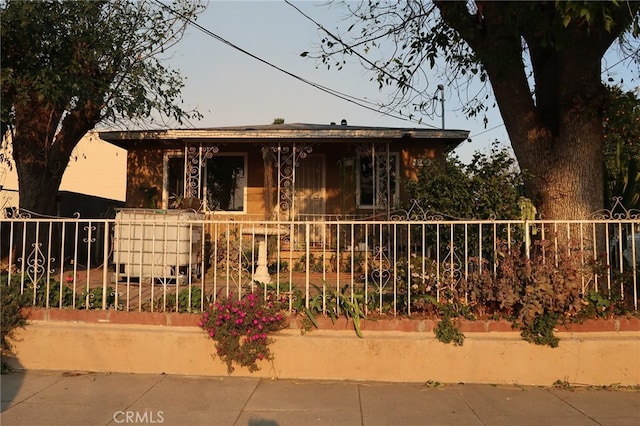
(168, 343)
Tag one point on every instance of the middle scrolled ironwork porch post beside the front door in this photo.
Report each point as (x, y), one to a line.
(287, 160)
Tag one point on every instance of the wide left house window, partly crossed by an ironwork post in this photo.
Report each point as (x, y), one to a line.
(220, 182)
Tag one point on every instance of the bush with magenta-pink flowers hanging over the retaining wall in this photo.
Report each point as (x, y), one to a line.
(241, 329)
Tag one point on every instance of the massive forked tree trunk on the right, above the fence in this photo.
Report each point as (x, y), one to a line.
(556, 132)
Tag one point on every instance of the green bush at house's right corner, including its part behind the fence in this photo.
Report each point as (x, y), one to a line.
(489, 187)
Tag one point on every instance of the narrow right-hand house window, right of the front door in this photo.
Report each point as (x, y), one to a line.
(377, 180)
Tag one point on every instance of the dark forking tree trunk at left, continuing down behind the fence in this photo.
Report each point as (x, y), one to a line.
(41, 152)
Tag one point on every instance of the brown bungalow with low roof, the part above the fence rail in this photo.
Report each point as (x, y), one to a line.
(281, 172)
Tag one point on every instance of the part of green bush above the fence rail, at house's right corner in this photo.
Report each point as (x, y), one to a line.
(490, 186)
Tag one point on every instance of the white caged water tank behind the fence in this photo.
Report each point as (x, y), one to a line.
(157, 245)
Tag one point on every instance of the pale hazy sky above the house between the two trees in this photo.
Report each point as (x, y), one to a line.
(231, 88)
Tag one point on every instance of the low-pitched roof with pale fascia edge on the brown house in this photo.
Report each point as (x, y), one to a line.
(319, 132)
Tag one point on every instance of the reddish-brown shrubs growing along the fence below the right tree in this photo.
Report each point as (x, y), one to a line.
(552, 285)
